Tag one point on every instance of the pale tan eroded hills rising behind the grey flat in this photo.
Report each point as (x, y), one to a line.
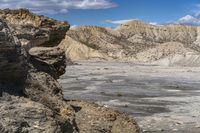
(133, 41)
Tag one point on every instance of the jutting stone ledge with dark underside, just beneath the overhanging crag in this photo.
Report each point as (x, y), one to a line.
(51, 60)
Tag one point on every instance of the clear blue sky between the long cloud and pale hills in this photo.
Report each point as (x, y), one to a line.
(155, 11)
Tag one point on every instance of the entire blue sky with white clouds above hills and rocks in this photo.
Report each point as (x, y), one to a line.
(111, 13)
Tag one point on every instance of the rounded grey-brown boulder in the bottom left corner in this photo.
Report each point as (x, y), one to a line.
(21, 115)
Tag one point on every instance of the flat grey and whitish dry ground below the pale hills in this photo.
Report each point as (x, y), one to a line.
(161, 99)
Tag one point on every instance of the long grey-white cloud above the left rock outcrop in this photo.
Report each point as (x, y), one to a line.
(56, 6)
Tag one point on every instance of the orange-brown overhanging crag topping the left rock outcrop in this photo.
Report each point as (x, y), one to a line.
(34, 30)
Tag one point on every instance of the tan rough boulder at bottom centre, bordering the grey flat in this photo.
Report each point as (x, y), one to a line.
(92, 118)
